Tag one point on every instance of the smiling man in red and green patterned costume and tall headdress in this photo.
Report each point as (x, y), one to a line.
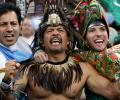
(92, 33)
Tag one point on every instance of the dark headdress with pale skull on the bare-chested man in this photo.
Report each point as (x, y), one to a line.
(54, 16)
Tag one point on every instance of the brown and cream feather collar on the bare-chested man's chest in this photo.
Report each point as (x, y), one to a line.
(55, 77)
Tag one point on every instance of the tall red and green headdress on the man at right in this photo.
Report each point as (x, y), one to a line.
(85, 13)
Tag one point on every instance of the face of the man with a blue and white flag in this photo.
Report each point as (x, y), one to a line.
(9, 28)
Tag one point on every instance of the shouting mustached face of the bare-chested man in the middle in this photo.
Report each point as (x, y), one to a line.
(55, 39)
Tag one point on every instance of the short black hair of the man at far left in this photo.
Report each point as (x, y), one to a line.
(8, 7)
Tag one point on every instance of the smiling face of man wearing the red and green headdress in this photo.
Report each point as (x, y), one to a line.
(97, 37)
